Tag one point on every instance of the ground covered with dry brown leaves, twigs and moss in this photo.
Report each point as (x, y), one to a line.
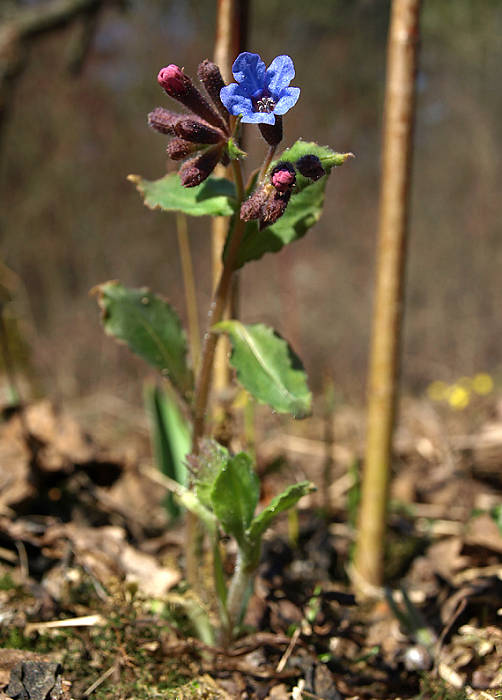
(92, 594)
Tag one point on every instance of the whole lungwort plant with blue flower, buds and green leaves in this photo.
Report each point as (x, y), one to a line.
(280, 202)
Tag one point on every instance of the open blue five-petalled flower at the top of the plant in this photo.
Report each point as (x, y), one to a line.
(260, 93)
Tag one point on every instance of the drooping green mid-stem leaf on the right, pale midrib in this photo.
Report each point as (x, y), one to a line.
(268, 368)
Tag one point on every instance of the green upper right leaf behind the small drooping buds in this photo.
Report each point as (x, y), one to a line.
(303, 211)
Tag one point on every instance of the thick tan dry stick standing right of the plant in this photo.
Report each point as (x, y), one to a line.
(384, 358)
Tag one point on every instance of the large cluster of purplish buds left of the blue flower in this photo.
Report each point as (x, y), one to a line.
(203, 133)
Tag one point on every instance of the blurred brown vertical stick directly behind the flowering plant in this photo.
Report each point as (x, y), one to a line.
(231, 28)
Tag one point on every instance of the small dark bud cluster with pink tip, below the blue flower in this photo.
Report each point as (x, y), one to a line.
(270, 199)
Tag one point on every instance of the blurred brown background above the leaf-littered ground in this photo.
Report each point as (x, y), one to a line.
(72, 130)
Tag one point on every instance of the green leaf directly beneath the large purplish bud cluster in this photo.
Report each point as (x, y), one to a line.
(214, 197)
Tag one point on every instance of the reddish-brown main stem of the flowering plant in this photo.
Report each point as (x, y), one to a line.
(216, 312)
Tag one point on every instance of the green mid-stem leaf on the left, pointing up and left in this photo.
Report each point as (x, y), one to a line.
(150, 327)
